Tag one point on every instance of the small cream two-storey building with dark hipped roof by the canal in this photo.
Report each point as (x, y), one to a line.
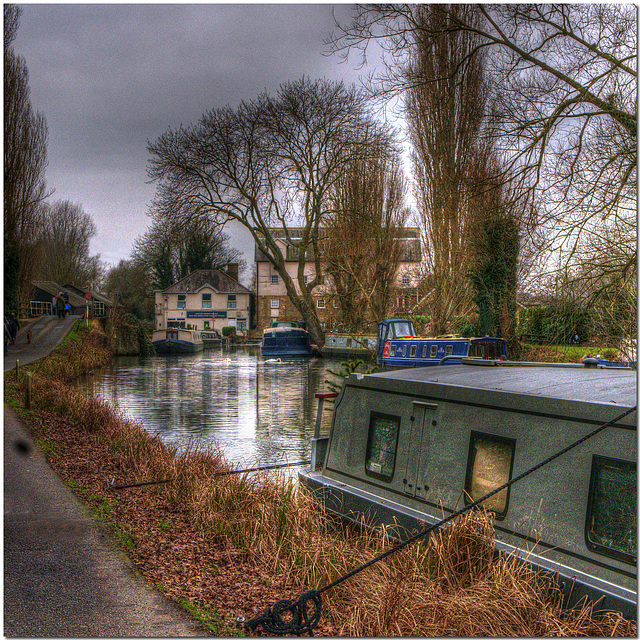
(204, 300)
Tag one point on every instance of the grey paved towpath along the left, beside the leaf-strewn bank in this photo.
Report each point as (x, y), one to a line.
(62, 575)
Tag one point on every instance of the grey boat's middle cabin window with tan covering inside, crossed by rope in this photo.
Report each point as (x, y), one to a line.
(489, 466)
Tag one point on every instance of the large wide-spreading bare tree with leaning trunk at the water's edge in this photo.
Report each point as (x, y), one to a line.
(269, 163)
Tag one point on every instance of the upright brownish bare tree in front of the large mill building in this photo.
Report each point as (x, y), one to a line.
(362, 247)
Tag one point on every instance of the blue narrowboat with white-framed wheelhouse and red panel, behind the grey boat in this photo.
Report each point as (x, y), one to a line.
(398, 346)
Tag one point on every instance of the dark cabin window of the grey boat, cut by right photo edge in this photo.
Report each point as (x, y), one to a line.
(611, 527)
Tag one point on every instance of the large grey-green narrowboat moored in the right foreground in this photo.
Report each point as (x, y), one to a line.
(411, 446)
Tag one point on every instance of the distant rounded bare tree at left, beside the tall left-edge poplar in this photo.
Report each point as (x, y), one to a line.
(65, 237)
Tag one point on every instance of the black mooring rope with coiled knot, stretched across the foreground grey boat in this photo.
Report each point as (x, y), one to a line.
(271, 619)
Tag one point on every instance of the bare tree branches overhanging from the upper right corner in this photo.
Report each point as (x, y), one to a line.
(565, 100)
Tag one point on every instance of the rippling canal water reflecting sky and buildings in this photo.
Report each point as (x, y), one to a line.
(258, 412)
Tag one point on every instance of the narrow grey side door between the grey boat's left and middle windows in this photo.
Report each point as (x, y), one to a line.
(423, 422)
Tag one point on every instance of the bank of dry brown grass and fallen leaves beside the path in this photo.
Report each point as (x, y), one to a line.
(228, 546)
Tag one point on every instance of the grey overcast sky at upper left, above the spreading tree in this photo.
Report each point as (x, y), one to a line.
(108, 78)
